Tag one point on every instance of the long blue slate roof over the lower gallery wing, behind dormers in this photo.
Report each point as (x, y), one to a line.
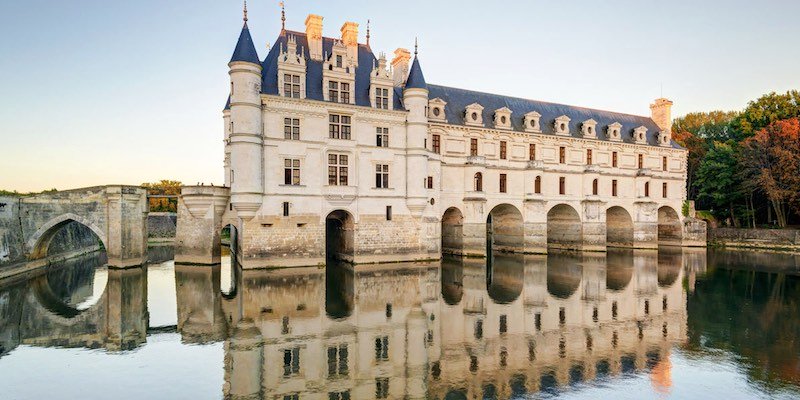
(458, 99)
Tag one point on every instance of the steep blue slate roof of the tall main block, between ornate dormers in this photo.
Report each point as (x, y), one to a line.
(366, 58)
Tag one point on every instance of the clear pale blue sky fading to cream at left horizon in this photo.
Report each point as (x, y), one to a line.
(110, 92)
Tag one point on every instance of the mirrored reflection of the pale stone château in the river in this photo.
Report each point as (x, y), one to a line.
(417, 331)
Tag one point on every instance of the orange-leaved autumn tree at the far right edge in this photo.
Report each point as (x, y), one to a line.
(771, 158)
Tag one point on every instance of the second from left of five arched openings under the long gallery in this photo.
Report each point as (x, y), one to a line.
(505, 229)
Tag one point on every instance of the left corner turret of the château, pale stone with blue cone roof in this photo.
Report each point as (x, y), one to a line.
(245, 127)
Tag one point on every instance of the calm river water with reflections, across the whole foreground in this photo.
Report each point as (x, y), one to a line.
(627, 325)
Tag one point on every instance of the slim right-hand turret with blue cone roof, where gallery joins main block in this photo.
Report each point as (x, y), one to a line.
(415, 99)
